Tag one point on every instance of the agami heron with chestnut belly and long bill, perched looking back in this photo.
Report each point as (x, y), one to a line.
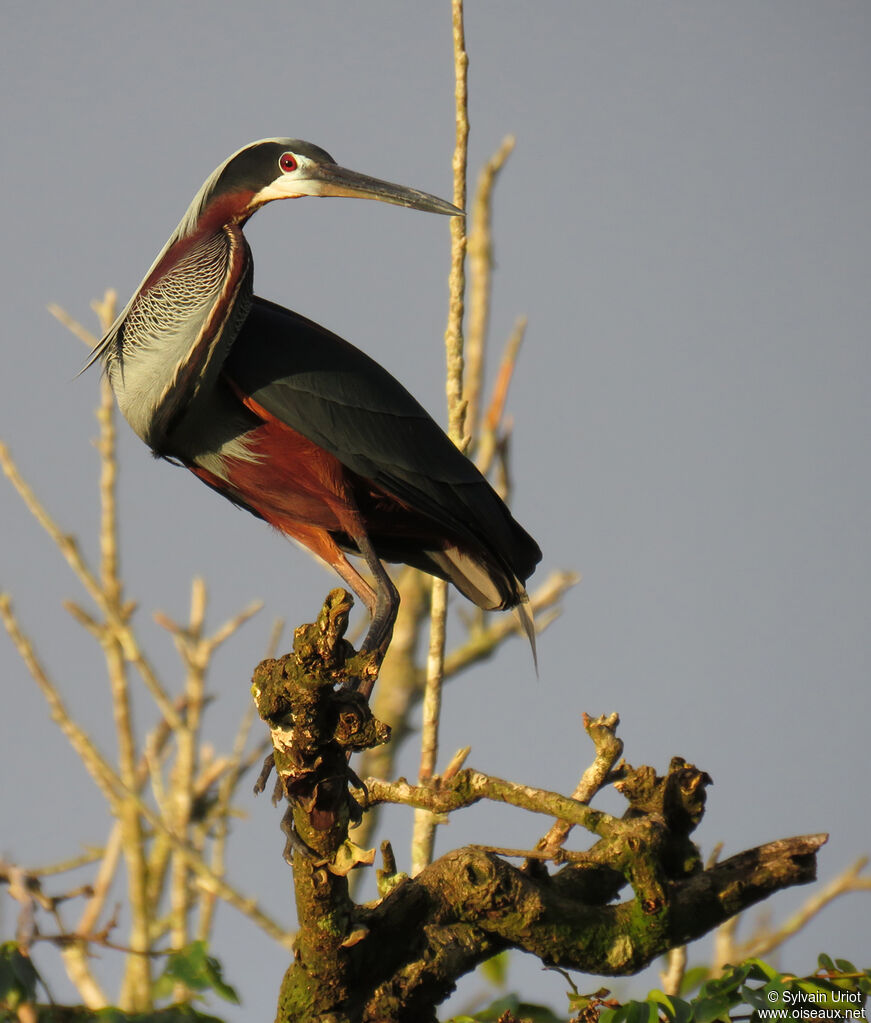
(289, 421)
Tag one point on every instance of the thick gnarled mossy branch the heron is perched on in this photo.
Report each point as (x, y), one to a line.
(397, 960)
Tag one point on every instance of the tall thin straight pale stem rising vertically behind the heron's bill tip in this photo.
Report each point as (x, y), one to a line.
(425, 823)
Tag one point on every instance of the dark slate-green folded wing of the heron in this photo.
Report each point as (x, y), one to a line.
(338, 397)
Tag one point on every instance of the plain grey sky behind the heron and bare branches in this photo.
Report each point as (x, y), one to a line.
(686, 225)
